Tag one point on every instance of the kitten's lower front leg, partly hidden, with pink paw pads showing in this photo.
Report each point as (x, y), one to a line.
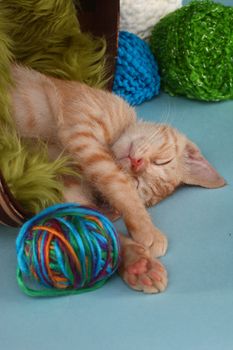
(138, 269)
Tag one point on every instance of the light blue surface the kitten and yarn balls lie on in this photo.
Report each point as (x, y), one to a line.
(195, 312)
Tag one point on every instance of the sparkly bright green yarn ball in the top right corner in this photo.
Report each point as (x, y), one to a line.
(194, 49)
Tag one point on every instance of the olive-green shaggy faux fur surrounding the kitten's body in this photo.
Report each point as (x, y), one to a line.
(45, 35)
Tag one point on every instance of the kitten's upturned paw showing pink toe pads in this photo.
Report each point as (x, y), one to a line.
(141, 272)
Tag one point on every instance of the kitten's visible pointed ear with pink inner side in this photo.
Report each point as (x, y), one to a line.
(198, 171)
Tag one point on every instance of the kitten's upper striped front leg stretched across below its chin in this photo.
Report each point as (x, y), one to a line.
(100, 169)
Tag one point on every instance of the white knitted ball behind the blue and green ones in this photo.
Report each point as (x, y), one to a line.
(139, 17)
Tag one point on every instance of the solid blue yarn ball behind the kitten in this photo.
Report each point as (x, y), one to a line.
(136, 75)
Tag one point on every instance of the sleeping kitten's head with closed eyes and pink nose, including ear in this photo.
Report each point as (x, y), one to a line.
(159, 159)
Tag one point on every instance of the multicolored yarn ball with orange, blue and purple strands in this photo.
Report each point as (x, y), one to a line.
(66, 249)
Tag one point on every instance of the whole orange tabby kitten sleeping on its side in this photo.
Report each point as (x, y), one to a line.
(129, 164)
